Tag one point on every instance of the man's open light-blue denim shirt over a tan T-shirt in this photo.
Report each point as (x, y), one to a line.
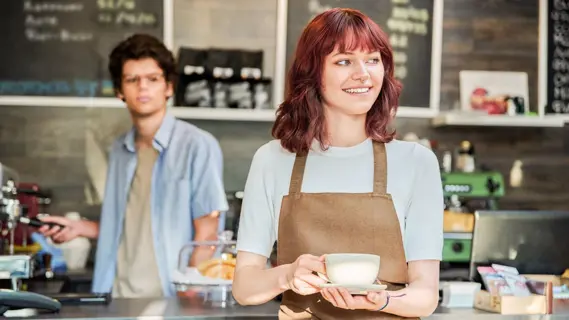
(187, 183)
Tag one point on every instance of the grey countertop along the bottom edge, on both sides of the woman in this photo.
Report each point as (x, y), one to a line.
(122, 309)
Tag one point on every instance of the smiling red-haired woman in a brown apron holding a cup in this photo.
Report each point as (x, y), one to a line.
(336, 181)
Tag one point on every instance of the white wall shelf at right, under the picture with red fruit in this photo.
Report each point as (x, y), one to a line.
(472, 119)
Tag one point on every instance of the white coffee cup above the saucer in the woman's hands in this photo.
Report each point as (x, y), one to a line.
(352, 268)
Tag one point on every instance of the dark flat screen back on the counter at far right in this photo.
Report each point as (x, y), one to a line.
(533, 242)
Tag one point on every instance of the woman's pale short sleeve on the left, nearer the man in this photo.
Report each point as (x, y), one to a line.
(256, 232)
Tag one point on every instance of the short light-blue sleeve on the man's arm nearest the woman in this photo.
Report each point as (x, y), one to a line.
(207, 178)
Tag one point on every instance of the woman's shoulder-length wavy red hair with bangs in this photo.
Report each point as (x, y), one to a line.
(300, 118)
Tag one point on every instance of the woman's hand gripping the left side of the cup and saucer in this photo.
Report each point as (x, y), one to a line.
(300, 276)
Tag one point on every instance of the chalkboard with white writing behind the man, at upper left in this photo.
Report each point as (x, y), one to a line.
(61, 47)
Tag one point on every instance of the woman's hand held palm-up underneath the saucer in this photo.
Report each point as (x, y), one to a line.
(341, 298)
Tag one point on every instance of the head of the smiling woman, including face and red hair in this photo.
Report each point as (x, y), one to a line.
(338, 51)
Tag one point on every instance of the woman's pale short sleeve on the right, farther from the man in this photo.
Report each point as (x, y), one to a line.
(424, 220)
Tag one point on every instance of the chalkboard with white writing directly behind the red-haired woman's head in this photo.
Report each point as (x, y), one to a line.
(409, 24)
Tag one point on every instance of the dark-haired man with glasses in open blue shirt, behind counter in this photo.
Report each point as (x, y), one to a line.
(164, 183)
